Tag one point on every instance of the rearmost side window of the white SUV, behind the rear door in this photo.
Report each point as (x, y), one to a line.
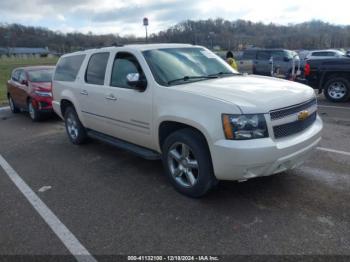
(68, 68)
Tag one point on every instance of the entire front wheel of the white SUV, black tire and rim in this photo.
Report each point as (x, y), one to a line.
(187, 162)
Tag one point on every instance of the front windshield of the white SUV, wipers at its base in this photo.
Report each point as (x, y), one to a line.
(173, 66)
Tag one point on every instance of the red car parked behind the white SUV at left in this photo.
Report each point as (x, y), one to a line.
(30, 89)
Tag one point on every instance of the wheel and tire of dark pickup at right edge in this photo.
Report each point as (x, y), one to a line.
(337, 89)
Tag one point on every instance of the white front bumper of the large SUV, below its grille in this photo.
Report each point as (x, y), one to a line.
(242, 160)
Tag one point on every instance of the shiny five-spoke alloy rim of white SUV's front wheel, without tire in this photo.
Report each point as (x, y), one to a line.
(183, 165)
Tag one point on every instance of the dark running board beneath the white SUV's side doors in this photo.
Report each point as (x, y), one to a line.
(135, 149)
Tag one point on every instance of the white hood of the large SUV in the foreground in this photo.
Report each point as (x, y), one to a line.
(252, 94)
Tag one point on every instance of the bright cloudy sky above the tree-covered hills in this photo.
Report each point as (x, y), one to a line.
(125, 17)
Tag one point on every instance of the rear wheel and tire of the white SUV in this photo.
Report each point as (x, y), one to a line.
(75, 130)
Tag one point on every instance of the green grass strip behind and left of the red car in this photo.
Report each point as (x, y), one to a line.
(8, 64)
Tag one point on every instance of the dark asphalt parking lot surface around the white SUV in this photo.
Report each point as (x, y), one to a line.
(114, 203)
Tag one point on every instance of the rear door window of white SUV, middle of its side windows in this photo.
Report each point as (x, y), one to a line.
(96, 70)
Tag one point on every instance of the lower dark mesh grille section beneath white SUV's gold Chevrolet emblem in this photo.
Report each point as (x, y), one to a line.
(294, 127)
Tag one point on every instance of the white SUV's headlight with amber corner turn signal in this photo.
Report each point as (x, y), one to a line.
(242, 127)
